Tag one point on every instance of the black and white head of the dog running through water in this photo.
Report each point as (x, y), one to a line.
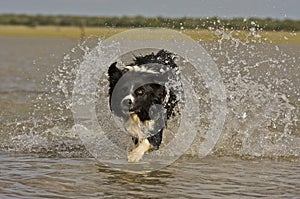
(137, 90)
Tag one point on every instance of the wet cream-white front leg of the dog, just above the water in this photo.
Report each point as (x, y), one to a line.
(137, 153)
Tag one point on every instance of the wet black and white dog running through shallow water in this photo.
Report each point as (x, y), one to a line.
(140, 94)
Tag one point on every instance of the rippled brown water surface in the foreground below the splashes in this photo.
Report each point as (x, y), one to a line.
(26, 176)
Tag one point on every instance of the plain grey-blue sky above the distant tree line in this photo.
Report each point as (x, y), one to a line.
(279, 9)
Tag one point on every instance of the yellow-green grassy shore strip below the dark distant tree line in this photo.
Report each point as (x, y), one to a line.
(277, 37)
